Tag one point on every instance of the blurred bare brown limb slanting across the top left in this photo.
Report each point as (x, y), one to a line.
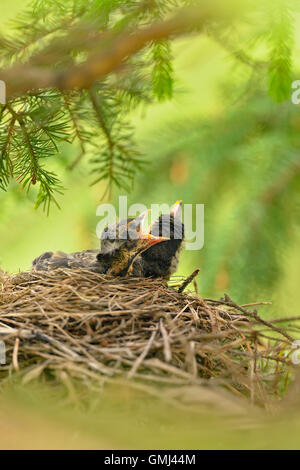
(117, 49)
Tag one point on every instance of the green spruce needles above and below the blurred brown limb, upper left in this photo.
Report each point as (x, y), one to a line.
(33, 125)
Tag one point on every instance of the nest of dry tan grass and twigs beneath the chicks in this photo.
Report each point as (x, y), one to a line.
(74, 324)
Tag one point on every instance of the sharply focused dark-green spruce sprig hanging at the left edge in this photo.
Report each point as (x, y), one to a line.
(29, 137)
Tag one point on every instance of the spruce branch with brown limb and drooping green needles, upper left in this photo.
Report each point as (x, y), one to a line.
(76, 68)
